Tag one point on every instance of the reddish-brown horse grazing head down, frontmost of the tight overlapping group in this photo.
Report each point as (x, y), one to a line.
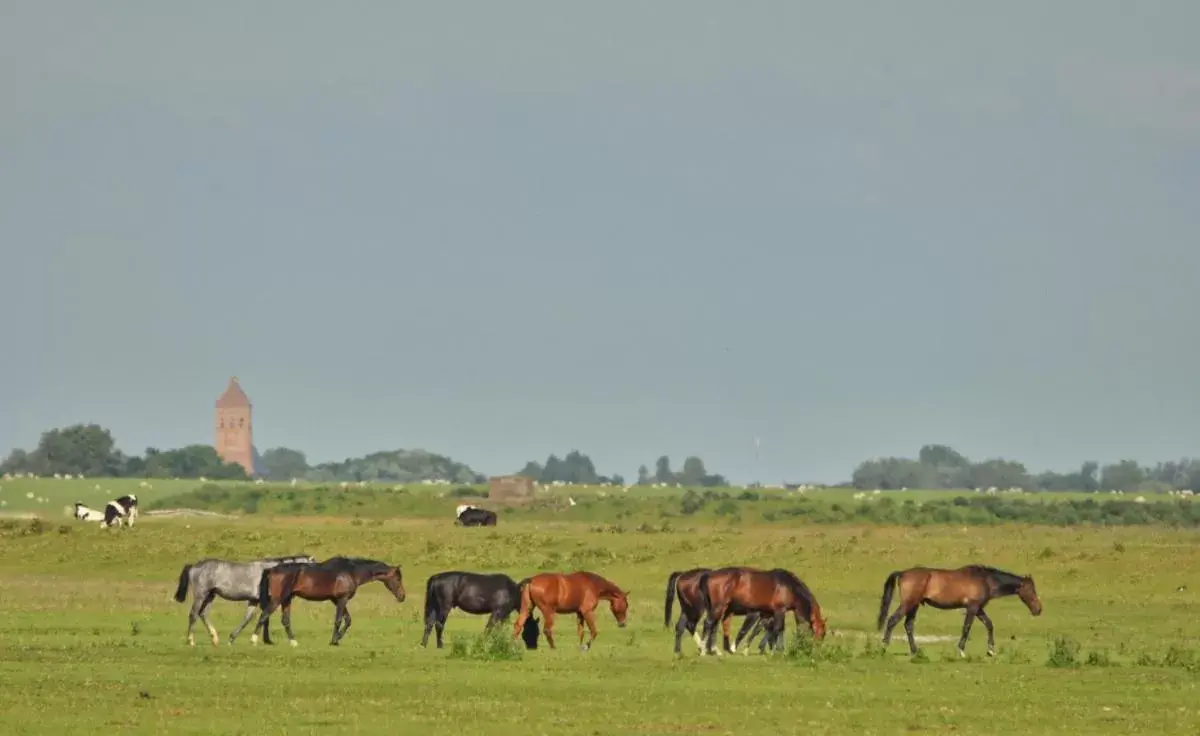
(741, 590)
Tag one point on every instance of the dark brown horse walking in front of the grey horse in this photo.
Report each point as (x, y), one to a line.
(337, 581)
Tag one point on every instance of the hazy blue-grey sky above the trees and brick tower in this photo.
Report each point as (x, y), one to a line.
(500, 230)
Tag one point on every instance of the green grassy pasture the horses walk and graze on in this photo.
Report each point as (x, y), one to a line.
(91, 638)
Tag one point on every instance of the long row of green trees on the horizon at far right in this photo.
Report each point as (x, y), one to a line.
(939, 466)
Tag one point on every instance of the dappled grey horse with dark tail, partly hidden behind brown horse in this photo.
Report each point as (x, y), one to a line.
(231, 581)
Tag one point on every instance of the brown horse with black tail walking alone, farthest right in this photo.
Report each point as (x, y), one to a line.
(969, 588)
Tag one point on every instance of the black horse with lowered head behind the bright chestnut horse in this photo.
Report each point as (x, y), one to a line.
(496, 595)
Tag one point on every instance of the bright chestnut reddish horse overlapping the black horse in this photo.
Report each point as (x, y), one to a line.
(578, 594)
